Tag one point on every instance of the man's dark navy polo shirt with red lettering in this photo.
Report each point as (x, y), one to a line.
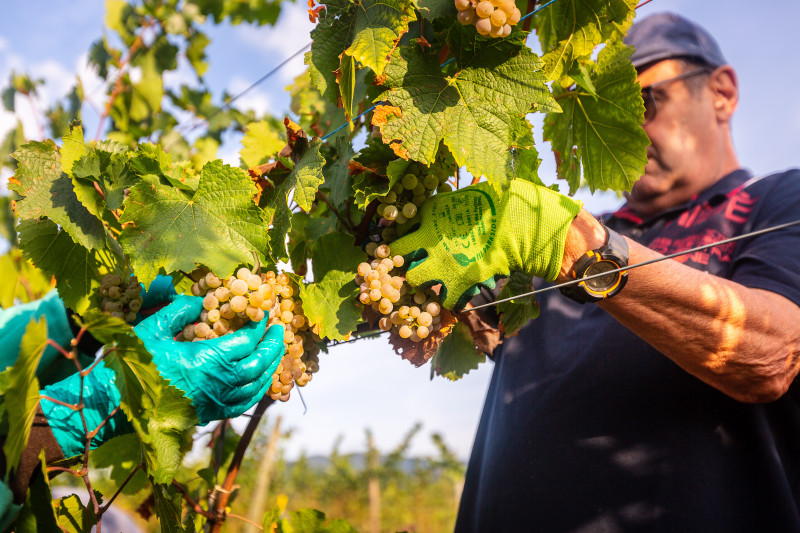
(588, 428)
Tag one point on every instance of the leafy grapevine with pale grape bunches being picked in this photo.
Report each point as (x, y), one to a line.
(401, 101)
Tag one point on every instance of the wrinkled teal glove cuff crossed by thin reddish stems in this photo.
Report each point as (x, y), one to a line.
(100, 397)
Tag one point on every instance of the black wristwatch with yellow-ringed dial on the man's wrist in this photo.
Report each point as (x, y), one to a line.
(611, 256)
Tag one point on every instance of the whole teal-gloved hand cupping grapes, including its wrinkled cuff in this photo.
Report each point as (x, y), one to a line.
(222, 377)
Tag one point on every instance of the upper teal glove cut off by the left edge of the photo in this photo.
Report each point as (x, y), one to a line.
(14, 320)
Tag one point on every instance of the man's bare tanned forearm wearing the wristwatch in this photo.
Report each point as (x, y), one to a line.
(742, 341)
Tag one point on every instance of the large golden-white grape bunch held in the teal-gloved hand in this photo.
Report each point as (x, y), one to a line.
(230, 303)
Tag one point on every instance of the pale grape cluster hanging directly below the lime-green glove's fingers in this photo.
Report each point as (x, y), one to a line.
(411, 314)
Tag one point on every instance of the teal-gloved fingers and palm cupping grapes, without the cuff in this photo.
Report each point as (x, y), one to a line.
(225, 376)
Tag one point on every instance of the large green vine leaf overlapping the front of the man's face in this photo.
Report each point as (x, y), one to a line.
(602, 134)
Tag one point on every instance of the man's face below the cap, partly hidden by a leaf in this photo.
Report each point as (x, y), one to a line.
(685, 135)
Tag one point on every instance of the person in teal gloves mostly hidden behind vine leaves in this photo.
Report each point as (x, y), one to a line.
(222, 377)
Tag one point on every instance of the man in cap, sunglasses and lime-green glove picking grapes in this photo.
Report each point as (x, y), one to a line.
(670, 404)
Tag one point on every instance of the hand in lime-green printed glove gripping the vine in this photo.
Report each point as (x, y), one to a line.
(471, 237)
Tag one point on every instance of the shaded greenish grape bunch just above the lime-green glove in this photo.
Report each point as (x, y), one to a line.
(407, 195)
